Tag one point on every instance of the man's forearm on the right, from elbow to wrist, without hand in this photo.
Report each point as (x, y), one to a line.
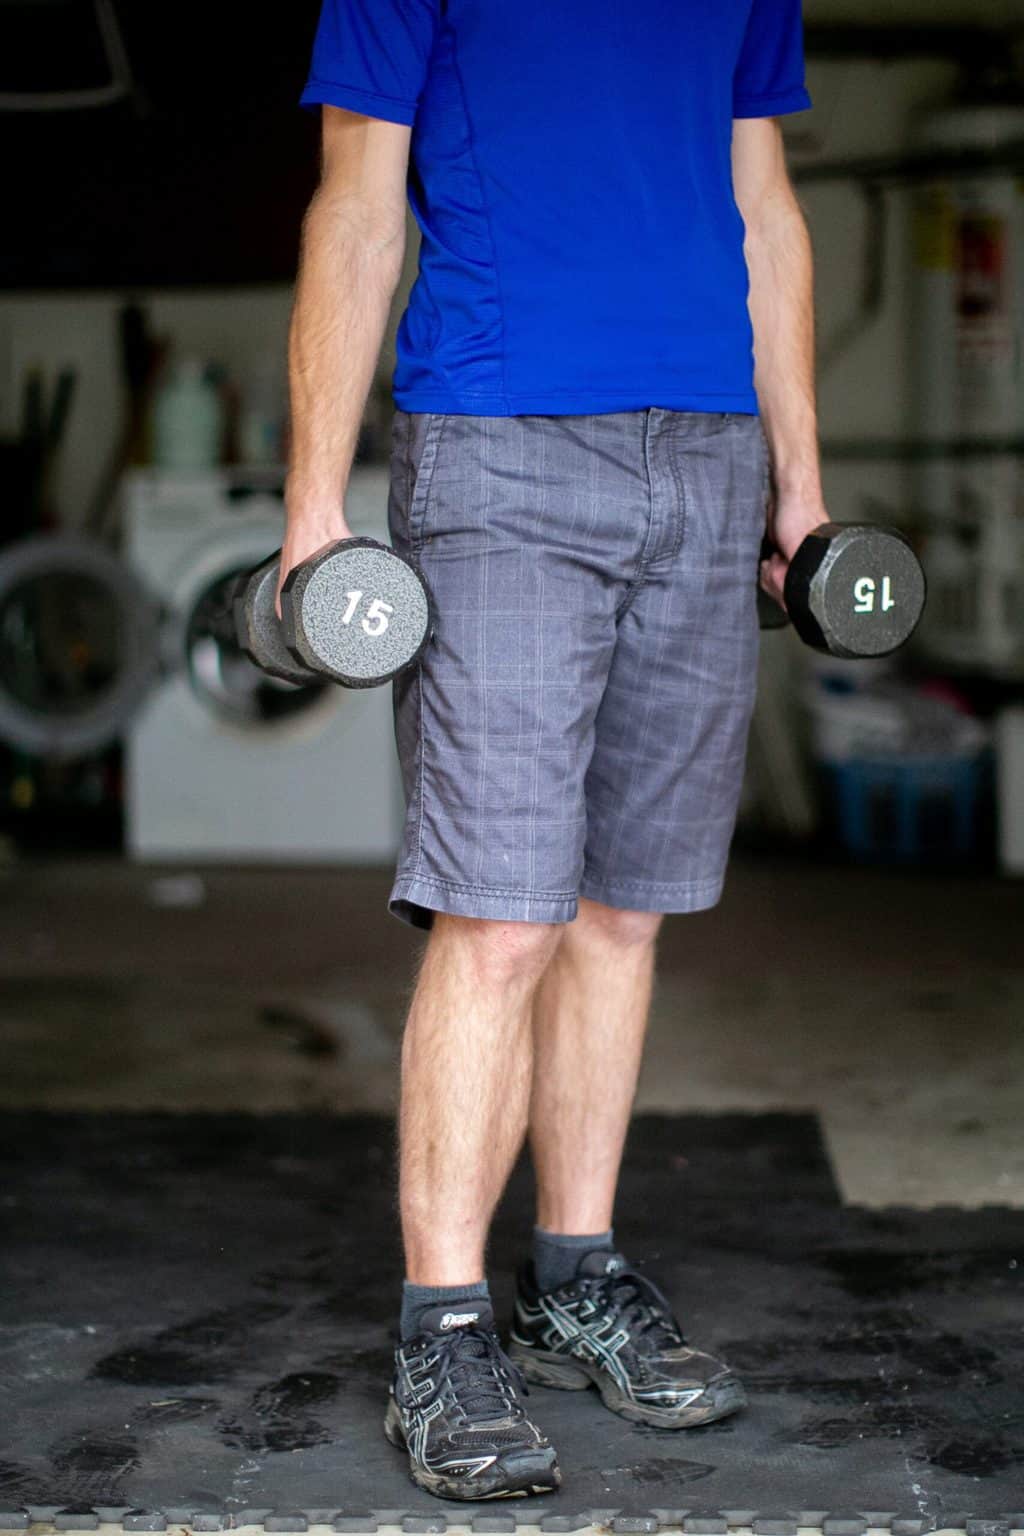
(782, 313)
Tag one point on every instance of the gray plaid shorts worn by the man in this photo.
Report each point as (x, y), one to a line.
(580, 721)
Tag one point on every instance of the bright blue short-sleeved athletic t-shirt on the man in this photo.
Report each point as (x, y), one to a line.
(570, 171)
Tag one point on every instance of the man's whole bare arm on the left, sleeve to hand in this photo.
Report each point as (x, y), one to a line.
(354, 243)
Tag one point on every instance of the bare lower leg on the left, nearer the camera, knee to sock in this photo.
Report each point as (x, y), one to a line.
(466, 1088)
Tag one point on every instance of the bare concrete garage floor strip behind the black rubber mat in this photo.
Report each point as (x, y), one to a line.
(888, 1004)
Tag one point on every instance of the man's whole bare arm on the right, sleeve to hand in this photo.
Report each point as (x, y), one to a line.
(781, 266)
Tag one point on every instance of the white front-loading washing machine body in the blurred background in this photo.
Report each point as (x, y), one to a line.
(222, 761)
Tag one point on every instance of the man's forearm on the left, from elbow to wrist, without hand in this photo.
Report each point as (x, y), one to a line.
(349, 271)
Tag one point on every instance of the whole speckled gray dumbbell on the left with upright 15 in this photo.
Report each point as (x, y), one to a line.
(355, 612)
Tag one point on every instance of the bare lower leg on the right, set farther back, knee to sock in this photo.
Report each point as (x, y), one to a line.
(589, 1025)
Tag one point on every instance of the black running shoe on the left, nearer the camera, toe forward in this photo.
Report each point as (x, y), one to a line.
(455, 1408)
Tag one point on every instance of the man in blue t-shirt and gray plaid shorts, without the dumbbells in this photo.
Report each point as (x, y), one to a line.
(581, 465)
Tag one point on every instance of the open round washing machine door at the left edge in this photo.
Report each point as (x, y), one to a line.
(79, 646)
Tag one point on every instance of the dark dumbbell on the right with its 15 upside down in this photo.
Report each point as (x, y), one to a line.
(851, 589)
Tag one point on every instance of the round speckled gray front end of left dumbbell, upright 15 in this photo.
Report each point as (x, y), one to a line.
(357, 612)
